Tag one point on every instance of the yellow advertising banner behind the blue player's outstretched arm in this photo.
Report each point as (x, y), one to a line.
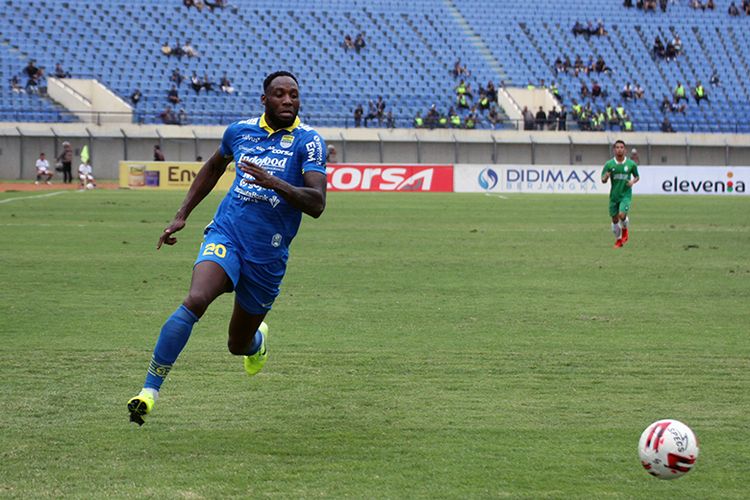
(167, 175)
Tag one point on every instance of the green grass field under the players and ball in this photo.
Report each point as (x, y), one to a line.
(423, 346)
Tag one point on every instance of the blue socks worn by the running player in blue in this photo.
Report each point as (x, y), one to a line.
(172, 339)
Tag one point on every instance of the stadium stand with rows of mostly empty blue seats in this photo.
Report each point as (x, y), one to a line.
(411, 48)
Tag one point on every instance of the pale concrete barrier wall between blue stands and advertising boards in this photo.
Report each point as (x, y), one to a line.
(21, 143)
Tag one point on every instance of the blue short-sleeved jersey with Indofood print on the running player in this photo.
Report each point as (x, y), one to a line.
(259, 221)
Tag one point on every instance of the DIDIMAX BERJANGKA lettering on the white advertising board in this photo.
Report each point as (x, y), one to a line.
(550, 179)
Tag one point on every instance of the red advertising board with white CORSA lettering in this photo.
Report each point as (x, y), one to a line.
(414, 178)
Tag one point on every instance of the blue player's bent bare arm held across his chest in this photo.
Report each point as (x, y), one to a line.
(311, 199)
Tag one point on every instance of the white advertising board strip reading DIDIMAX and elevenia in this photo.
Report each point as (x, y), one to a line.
(729, 181)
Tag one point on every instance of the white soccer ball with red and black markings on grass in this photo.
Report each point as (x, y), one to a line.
(668, 449)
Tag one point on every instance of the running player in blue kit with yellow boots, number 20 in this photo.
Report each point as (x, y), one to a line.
(281, 174)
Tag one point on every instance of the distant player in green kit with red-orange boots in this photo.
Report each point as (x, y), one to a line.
(624, 174)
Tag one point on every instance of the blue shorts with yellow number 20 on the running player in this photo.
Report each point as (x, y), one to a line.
(255, 285)
